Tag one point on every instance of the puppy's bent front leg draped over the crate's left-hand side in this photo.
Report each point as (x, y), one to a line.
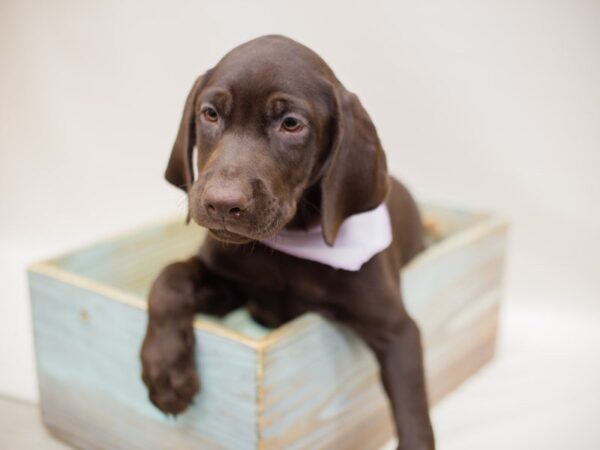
(168, 361)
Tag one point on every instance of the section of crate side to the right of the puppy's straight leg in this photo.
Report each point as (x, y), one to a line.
(455, 298)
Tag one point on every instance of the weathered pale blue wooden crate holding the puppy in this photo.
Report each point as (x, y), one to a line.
(309, 384)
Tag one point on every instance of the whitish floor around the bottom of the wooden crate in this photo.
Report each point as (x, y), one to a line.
(542, 392)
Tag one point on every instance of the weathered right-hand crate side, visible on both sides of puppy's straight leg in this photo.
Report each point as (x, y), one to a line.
(323, 367)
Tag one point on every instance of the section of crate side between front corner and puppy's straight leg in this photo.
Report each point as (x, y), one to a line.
(320, 389)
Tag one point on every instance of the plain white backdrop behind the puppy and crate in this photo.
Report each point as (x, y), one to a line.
(483, 104)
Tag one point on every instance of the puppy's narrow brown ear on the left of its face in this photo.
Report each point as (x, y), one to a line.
(180, 170)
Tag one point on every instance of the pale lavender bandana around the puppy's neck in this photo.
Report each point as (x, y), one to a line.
(360, 237)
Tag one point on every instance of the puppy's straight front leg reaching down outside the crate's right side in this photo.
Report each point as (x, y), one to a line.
(397, 346)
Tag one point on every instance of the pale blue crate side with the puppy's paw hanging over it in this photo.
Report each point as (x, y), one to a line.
(87, 350)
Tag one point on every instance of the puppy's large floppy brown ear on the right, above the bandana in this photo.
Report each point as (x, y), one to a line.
(356, 177)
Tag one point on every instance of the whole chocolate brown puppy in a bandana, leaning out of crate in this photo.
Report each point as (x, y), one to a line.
(283, 149)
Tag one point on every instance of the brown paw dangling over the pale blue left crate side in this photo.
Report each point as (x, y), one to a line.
(169, 369)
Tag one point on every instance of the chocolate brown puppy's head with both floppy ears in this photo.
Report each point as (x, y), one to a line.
(280, 142)
